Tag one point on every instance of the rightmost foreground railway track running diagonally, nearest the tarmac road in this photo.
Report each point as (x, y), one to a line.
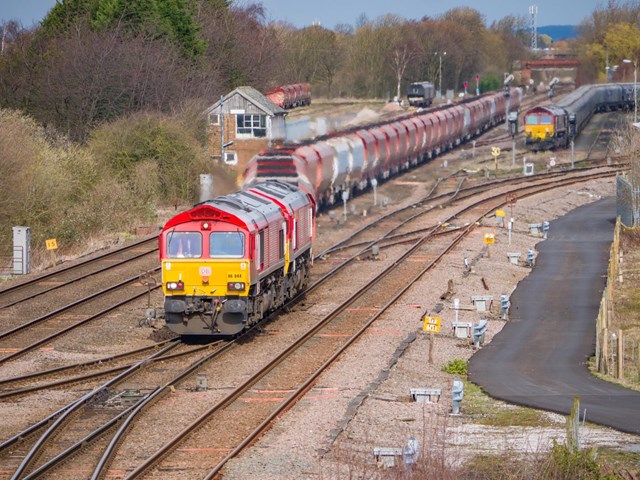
(294, 372)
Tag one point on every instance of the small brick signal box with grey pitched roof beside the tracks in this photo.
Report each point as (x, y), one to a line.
(241, 124)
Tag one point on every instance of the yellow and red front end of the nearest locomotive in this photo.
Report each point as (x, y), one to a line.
(205, 277)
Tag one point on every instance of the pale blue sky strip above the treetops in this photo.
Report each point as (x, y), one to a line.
(330, 13)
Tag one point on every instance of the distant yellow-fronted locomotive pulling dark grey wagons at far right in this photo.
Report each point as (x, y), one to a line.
(552, 126)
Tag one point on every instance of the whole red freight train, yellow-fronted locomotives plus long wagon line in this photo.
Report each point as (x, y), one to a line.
(229, 261)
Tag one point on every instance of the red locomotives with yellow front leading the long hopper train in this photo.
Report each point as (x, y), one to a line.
(229, 261)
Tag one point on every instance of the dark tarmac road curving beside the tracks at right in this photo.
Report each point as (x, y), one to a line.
(539, 358)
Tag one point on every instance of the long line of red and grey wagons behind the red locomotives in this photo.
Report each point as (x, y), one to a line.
(349, 162)
